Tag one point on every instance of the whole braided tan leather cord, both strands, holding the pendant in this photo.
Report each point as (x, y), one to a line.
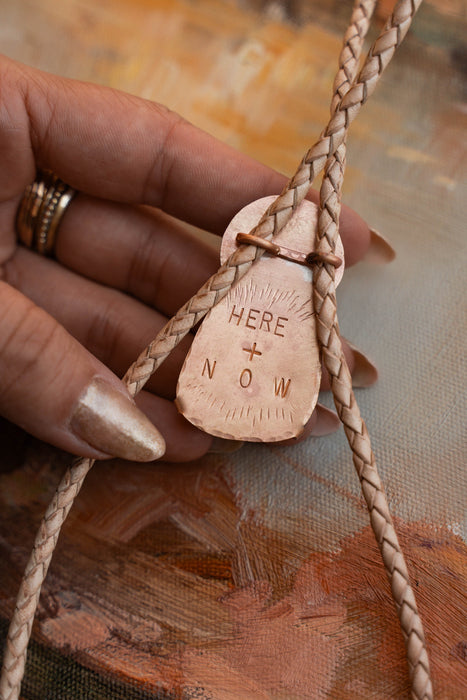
(328, 152)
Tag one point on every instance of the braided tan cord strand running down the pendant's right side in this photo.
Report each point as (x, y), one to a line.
(324, 302)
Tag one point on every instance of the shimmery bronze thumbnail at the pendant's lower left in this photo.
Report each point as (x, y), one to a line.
(110, 422)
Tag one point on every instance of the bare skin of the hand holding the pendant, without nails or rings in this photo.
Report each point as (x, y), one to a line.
(124, 261)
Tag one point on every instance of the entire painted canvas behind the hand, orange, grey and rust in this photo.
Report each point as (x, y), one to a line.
(255, 576)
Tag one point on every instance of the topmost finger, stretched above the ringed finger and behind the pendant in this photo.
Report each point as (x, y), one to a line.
(144, 153)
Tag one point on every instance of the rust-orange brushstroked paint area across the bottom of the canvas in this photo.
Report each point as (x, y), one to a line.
(182, 588)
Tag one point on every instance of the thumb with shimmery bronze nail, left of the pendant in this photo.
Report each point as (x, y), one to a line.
(55, 389)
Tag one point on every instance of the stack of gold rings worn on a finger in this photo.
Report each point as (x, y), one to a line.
(41, 210)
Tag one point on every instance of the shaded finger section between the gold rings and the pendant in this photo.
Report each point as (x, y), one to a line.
(135, 249)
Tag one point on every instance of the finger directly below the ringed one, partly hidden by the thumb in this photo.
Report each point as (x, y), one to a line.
(112, 326)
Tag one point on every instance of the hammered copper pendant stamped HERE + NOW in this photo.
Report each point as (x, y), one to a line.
(253, 371)
